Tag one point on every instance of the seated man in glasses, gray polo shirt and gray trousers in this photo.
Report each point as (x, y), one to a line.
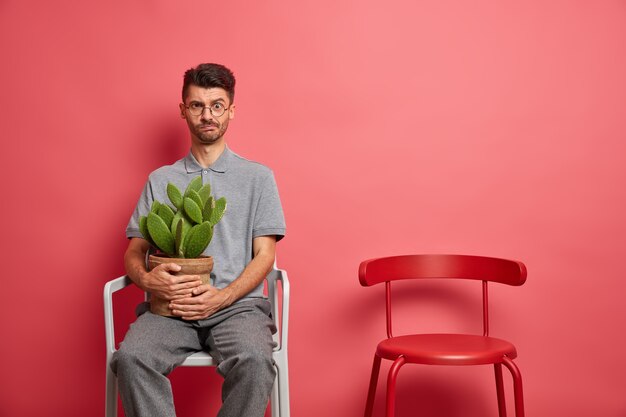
(229, 318)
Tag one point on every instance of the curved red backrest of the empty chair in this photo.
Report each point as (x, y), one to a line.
(375, 271)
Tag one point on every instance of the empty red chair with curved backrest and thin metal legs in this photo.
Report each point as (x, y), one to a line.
(444, 349)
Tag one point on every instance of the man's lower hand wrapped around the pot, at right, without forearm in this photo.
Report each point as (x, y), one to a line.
(203, 302)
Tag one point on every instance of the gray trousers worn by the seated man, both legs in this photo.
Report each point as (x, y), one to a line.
(239, 338)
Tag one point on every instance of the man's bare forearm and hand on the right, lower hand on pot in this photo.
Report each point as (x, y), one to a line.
(208, 300)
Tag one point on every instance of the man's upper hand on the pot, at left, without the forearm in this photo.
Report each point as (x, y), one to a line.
(163, 284)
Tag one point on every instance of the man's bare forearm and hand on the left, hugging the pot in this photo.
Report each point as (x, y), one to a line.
(160, 280)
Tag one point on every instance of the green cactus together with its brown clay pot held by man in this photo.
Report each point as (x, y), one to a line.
(181, 232)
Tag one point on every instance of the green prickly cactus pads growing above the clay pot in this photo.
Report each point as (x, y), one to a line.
(185, 230)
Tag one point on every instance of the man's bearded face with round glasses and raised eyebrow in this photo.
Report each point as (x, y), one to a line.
(205, 128)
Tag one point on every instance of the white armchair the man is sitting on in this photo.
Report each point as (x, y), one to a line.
(280, 312)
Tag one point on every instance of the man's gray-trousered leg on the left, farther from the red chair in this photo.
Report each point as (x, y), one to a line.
(151, 349)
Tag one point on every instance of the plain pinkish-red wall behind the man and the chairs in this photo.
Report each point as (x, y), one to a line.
(395, 127)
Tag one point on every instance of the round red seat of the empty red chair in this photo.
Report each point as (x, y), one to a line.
(446, 349)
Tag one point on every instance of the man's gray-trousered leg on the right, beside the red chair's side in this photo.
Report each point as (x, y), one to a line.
(243, 344)
